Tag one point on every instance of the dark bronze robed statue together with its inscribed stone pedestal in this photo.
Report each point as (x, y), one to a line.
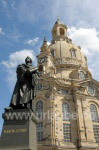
(19, 118)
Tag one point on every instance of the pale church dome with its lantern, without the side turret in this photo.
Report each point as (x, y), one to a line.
(62, 49)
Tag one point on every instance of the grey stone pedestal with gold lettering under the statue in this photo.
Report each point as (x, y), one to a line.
(19, 130)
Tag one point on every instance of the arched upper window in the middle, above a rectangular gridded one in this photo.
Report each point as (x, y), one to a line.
(65, 111)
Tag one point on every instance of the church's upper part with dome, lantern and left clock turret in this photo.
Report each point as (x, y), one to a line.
(62, 57)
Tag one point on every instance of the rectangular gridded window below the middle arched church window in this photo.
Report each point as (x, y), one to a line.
(67, 132)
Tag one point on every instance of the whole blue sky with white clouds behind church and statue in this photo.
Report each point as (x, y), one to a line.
(24, 23)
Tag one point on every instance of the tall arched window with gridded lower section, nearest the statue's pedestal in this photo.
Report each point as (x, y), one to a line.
(39, 114)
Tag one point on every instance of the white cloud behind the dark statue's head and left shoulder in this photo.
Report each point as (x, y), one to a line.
(15, 59)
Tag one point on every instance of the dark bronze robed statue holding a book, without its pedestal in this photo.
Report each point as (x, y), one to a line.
(24, 90)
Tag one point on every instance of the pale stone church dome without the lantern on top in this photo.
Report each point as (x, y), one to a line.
(67, 53)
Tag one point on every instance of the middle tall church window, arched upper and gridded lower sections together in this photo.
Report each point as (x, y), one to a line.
(66, 123)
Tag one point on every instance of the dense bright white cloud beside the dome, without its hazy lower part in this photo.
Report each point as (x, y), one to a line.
(88, 39)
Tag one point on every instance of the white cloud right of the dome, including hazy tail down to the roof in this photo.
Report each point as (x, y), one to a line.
(88, 39)
